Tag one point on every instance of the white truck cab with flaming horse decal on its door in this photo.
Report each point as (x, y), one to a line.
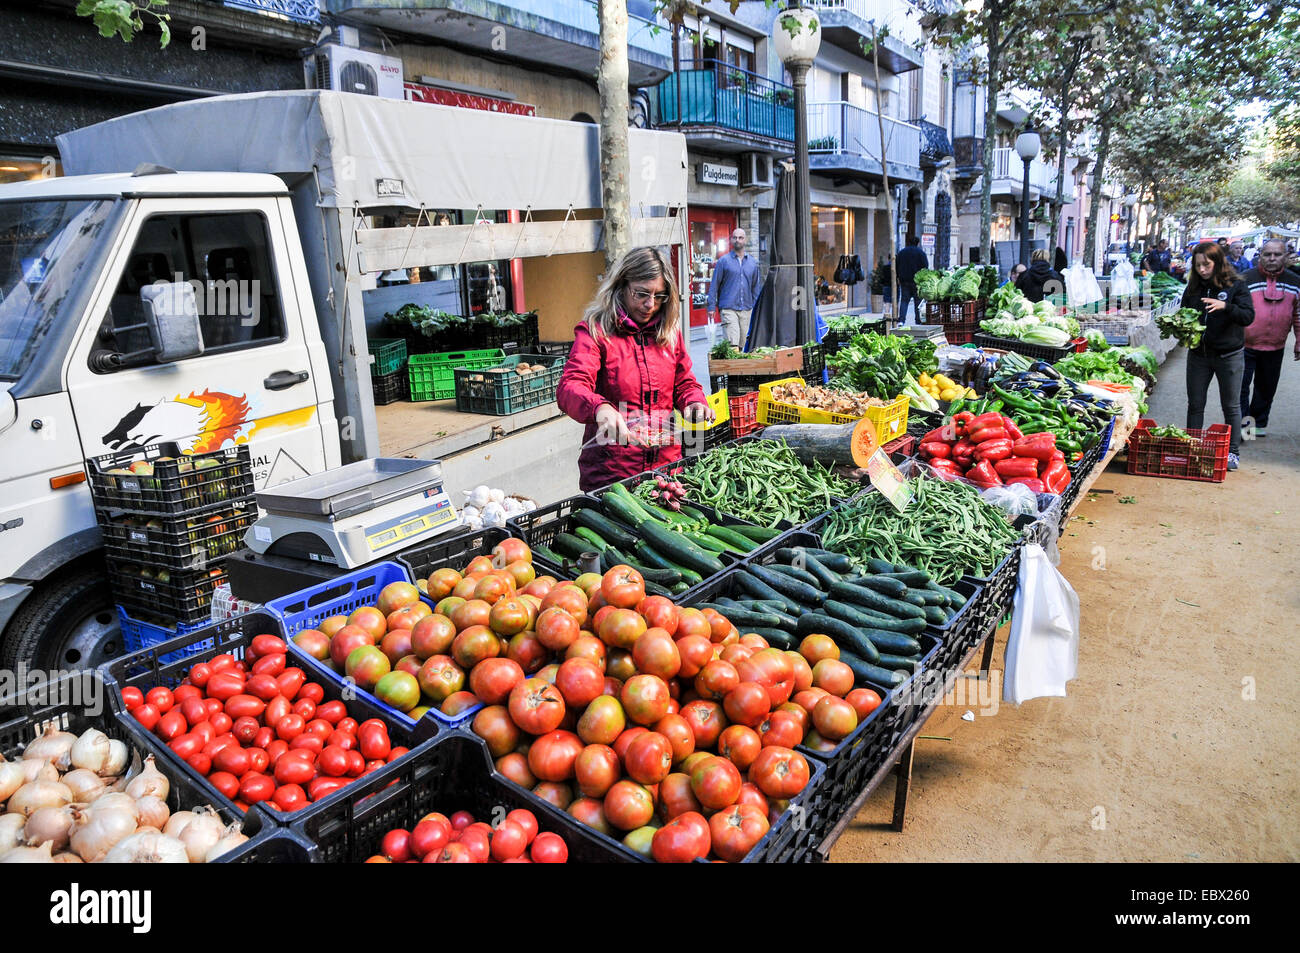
(84, 371)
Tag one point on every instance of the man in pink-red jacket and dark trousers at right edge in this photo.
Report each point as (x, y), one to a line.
(1276, 297)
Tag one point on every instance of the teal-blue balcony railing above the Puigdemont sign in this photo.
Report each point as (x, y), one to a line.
(716, 94)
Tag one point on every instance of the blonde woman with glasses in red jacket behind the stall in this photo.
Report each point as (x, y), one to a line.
(629, 371)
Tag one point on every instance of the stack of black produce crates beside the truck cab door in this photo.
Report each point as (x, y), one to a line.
(170, 523)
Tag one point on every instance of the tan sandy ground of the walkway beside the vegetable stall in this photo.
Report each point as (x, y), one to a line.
(1178, 739)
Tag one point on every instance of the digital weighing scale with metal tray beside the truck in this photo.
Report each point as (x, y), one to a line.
(354, 516)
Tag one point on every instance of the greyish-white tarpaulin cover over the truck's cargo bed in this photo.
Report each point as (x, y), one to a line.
(374, 153)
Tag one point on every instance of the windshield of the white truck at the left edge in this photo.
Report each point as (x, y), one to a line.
(44, 249)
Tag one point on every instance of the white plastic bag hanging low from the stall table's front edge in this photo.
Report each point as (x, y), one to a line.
(1043, 648)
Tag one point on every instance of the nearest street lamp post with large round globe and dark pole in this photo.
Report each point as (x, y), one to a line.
(798, 36)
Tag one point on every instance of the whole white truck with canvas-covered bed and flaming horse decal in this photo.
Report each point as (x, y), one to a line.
(270, 224)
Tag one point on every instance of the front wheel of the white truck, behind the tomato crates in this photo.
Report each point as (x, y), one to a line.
(68, 623)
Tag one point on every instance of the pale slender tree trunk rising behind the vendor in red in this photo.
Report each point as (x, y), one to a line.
(616, 174)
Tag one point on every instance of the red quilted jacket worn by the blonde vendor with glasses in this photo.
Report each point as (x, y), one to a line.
(636, 376)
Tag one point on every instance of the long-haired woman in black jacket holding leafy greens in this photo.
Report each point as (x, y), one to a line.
(1224, 302)
